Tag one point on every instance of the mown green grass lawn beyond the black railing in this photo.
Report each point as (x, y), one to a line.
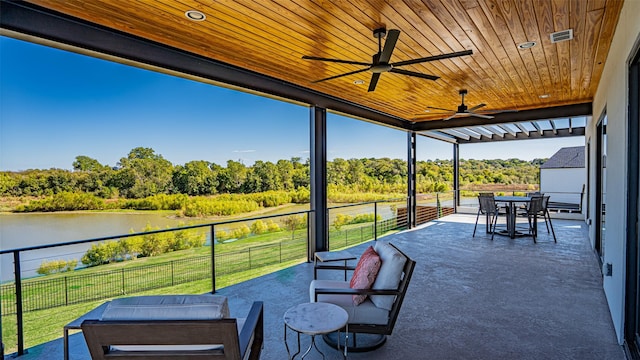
(190, 271)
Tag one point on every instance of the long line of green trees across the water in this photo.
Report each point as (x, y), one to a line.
(143, 173)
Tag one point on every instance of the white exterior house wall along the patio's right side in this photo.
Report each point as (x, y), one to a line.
(612, 94)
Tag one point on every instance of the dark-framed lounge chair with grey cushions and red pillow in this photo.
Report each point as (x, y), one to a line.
(372, 320)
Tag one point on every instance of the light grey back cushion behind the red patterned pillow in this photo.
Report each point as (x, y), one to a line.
(389, 275)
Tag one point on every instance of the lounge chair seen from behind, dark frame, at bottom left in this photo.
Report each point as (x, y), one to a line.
(175, 331)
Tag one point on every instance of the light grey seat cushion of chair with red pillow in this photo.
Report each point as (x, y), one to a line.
(365, 313)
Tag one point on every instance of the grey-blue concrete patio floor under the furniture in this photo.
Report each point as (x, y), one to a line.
(469, 298)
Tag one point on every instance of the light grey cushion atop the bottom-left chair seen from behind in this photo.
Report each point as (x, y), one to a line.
(167, 307)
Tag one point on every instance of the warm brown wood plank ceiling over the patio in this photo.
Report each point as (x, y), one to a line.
(270, 37)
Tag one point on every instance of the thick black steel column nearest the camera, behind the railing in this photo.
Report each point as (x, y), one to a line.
(318, 224)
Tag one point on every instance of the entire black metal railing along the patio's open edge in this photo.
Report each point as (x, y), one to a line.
(36, 296)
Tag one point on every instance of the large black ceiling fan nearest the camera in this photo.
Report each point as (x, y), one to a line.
(380, 62)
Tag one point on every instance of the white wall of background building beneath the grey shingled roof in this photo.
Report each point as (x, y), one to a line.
(563, 185)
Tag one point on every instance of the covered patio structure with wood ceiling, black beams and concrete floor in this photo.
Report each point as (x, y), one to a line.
(470, 297)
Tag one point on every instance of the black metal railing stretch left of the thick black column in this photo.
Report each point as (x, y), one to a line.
(32, 296)
